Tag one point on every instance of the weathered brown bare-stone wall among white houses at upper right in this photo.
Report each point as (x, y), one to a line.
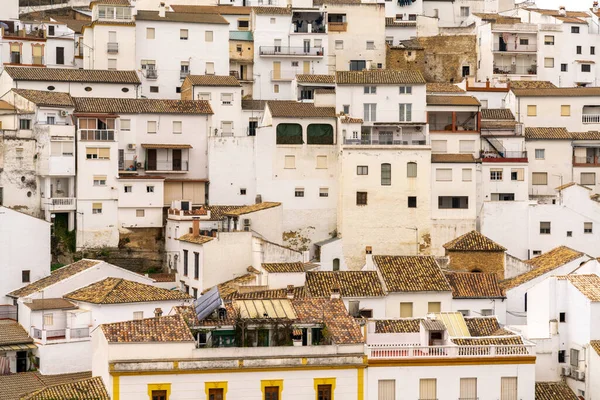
(441, 59)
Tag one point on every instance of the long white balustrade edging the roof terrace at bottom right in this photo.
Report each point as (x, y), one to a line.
(394, 351)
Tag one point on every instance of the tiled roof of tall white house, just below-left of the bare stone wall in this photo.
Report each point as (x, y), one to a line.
(379, 77)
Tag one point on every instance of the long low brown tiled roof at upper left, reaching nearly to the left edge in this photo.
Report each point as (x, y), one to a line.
(72, 75)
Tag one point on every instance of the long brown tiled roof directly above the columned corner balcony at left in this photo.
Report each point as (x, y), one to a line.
(140, 106)
